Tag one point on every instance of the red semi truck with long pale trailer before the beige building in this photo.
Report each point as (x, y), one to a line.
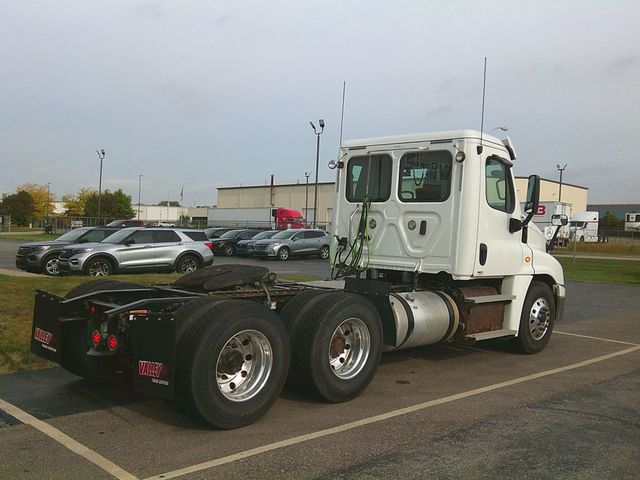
(265, 218)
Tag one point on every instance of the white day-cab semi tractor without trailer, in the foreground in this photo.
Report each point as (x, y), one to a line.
(431, 243)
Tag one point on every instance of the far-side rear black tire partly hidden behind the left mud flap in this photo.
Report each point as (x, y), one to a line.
(76, 339)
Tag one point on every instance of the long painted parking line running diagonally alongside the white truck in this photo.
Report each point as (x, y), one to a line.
(384, 416)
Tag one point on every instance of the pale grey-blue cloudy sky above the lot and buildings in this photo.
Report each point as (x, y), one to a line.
(196, 95)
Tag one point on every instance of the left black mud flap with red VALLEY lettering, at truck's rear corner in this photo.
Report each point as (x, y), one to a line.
(46, 338)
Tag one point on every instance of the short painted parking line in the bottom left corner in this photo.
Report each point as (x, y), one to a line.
(66, 441)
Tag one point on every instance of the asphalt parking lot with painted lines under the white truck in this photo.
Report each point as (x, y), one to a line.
(446, 411)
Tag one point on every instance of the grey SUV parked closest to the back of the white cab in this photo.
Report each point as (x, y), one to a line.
(294, 242)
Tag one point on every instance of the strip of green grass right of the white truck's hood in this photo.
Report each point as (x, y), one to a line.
(601, 271)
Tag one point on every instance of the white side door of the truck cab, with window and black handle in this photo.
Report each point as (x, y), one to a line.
(499, 252)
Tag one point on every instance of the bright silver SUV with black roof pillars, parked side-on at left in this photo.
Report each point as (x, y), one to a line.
(139, 249)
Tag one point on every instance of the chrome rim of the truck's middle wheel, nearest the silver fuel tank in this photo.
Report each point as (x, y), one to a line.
(349, 348)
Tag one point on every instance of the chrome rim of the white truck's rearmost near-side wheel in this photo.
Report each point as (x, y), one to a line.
(244, 365)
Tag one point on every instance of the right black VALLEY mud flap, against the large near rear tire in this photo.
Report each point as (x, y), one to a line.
(153, 351)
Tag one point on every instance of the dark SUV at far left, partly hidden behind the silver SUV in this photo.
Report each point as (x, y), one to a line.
(43, 256)
